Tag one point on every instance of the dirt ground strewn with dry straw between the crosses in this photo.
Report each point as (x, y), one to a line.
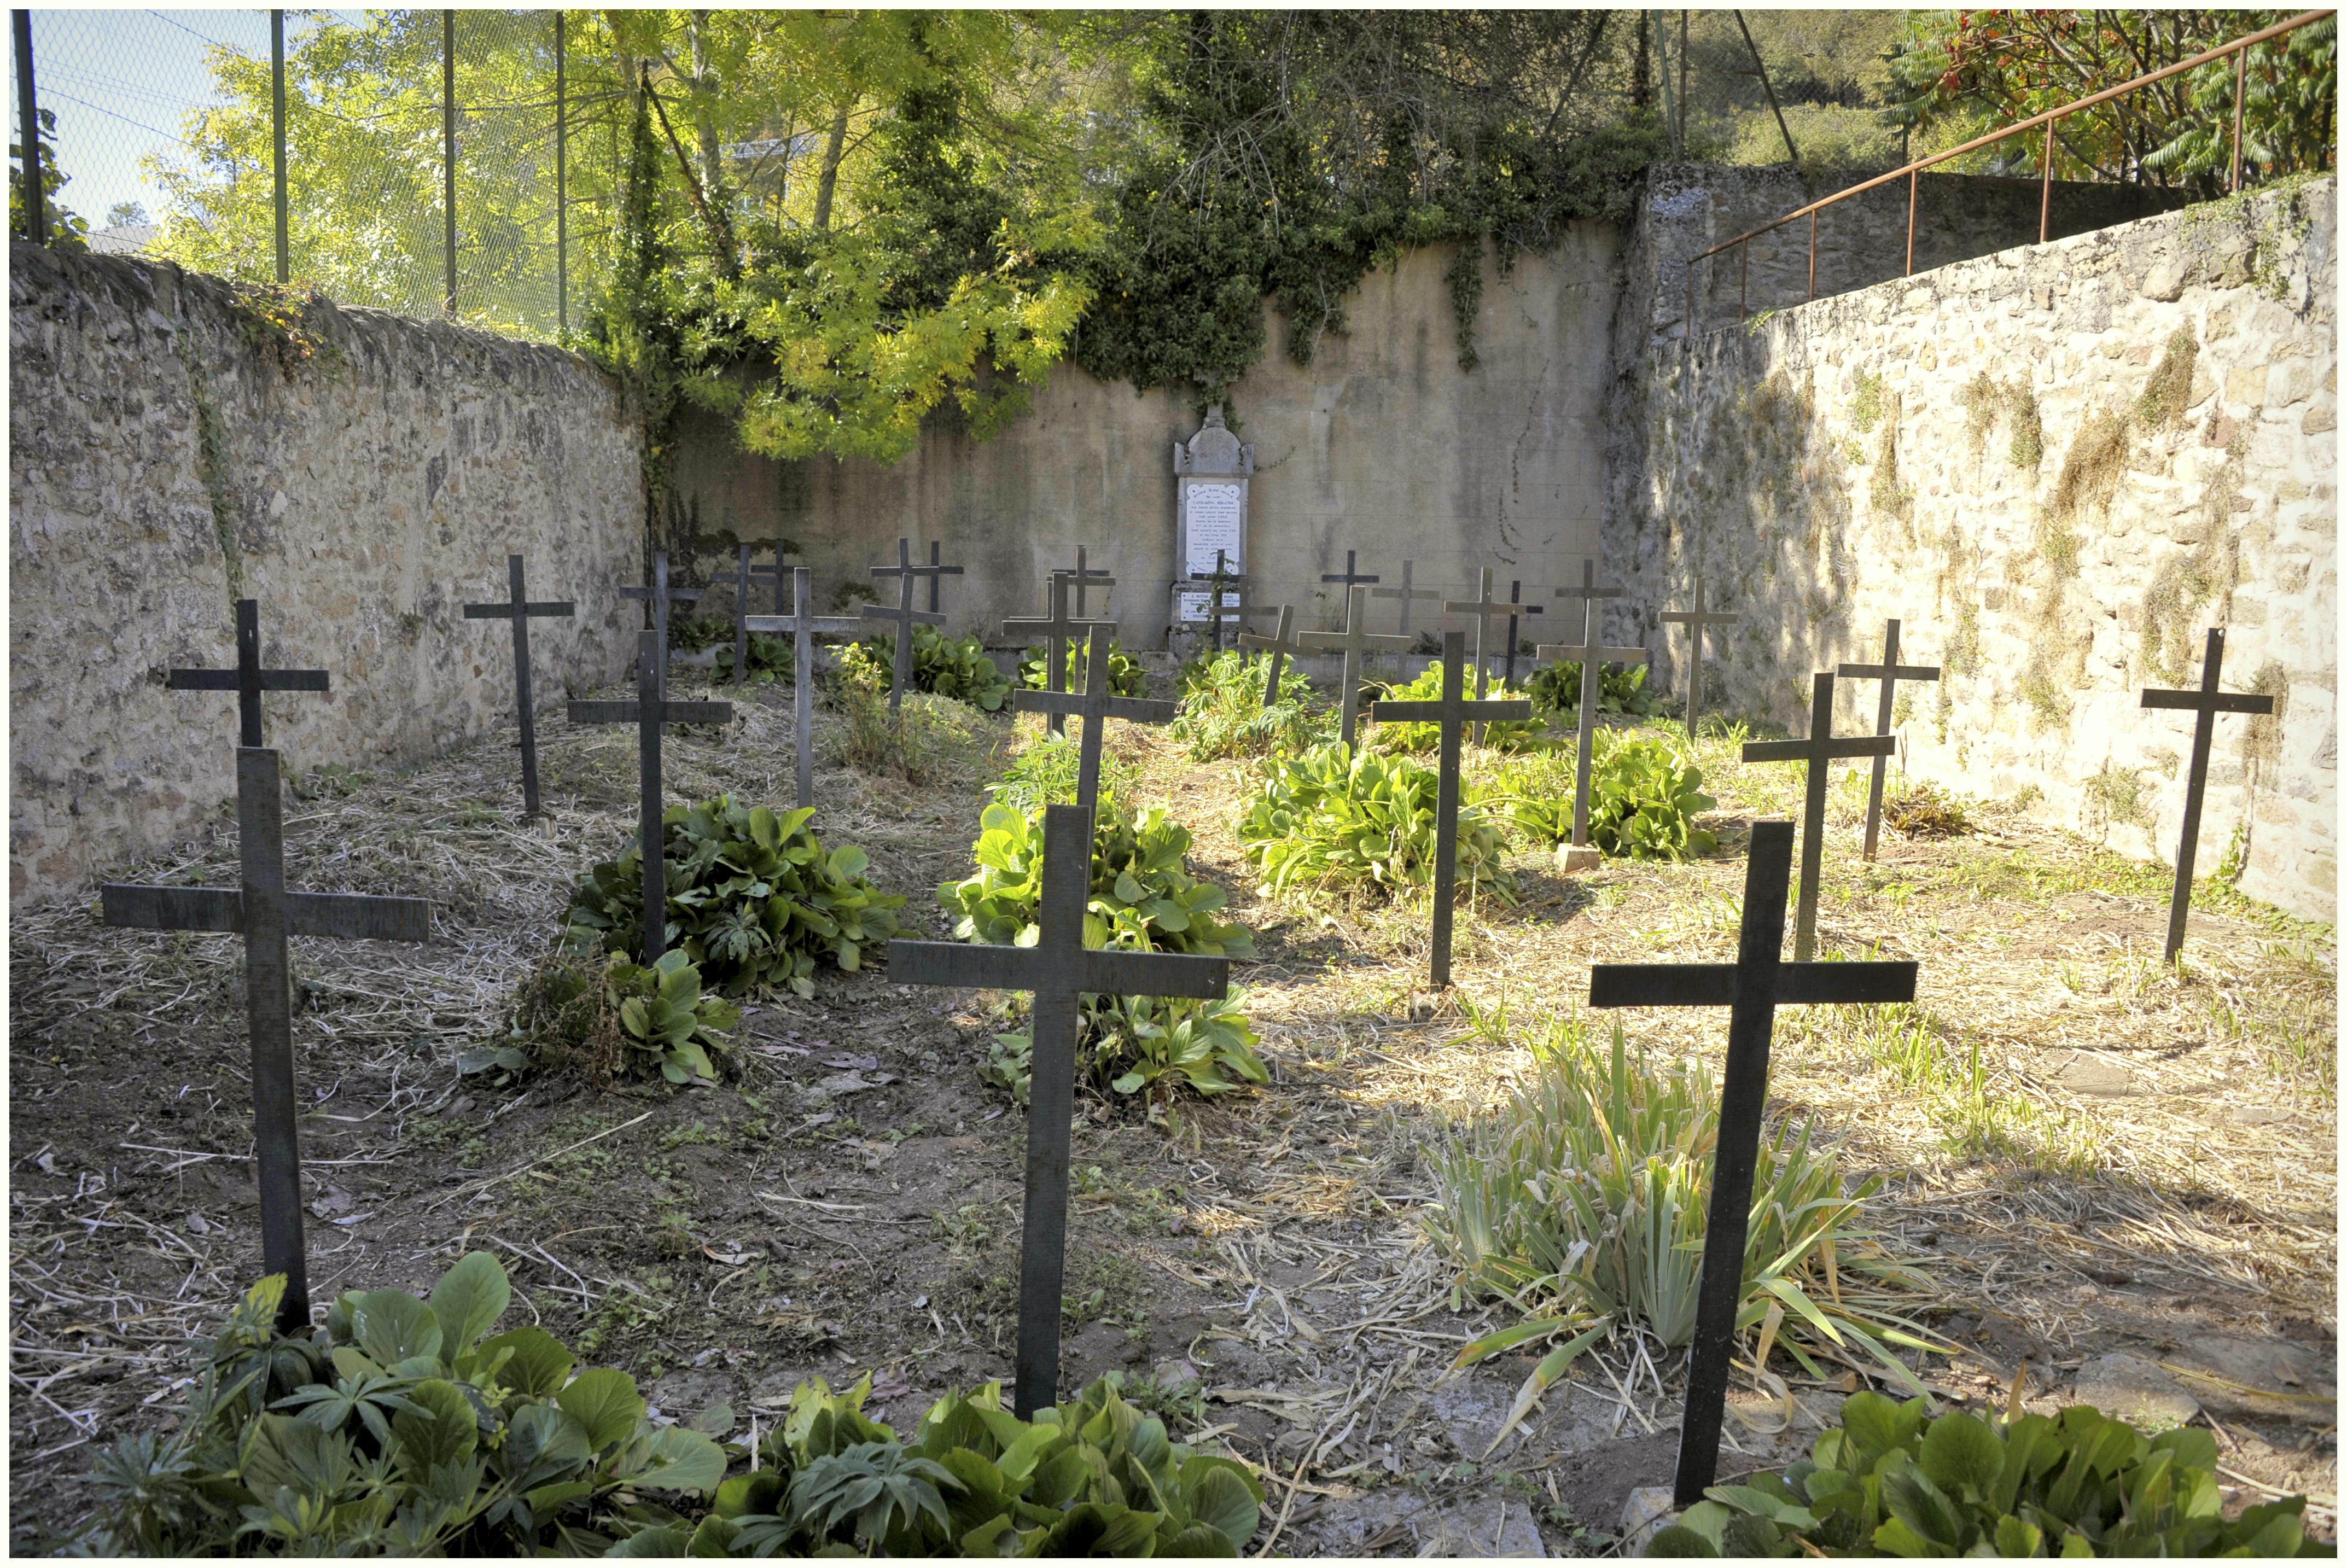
(2097, 1158)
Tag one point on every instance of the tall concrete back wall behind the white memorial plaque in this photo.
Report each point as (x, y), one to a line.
(1381, 447)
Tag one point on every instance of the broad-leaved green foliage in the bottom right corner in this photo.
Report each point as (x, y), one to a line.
(1891, 1482)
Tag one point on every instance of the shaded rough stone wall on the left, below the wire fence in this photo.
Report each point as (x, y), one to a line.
(360, 499)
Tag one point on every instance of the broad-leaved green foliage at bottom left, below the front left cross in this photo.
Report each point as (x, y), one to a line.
(398, 1431)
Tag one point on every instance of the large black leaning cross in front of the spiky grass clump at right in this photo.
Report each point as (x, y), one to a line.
(1752, 992)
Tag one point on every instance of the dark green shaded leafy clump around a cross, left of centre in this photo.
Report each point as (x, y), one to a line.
(755, 898)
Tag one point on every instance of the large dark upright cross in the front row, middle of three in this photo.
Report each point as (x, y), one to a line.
(1060, 968)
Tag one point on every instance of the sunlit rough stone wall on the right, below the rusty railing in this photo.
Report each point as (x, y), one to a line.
(2057, 466)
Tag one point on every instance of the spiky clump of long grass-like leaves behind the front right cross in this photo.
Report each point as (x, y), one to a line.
(1585, 1198)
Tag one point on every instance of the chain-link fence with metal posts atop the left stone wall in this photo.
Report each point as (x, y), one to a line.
(433, 163)
